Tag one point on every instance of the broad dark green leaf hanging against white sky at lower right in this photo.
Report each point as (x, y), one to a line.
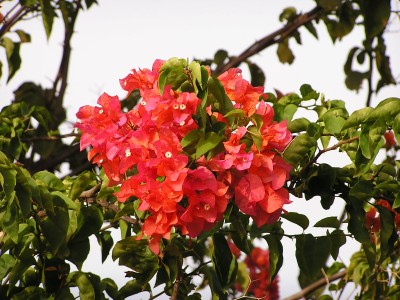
(312, 253)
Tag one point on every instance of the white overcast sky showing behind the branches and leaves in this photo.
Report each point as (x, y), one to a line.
(116, 36)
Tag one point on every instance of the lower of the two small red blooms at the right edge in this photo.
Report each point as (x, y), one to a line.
(373, 220)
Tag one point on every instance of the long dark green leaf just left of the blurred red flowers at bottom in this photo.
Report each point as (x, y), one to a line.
(224, 262)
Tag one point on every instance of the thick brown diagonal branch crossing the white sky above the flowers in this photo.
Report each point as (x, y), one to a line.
(272, 38)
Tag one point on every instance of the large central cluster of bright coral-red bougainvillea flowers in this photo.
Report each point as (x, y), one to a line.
(141, 151)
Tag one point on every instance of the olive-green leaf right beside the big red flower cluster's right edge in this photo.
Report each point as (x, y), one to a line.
(301, 148)
